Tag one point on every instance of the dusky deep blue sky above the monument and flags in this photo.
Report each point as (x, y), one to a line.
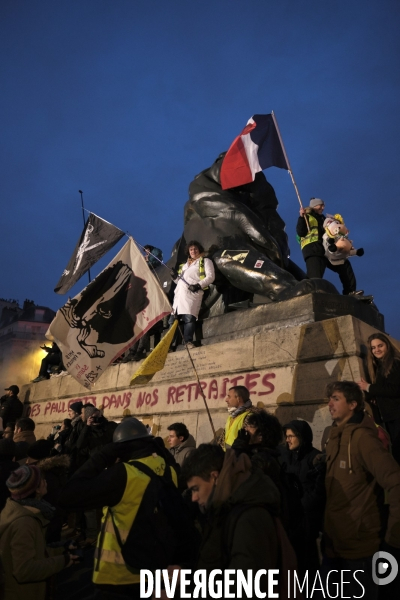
(128, 100)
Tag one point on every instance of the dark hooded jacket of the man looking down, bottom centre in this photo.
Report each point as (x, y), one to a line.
(241, 533)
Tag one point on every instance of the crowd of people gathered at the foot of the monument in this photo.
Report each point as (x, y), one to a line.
(261, 495)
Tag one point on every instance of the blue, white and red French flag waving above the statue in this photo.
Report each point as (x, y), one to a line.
(258, 147)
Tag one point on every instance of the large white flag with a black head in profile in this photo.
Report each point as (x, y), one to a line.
(99, 324)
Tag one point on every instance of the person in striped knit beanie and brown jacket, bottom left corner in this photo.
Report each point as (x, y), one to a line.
(27, 562)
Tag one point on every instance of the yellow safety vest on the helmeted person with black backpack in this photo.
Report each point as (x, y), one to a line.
(109, 566)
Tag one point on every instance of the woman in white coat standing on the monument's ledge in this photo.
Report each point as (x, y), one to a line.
(191, 279)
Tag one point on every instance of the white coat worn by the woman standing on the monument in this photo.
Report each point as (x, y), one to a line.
(186, 302)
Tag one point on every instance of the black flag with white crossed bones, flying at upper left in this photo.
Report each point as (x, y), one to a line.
(97, 238)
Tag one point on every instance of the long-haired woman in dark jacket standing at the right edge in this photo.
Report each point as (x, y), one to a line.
(383, 391)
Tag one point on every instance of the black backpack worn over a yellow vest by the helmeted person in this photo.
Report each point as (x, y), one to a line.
(162, 533)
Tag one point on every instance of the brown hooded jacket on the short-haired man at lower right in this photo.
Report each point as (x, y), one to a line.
(358, 469)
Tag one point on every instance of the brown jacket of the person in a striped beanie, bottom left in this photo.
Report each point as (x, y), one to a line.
(25, 559)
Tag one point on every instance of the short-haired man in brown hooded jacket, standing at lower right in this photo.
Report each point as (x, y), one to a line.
(361, 475)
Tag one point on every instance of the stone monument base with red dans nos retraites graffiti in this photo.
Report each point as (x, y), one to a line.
(284, 353)
